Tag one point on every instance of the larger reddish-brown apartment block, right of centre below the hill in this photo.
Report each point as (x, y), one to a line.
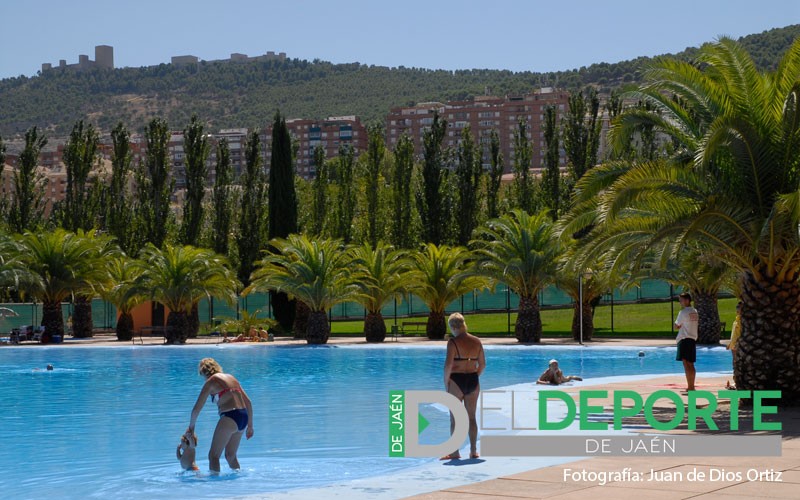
(482, 115)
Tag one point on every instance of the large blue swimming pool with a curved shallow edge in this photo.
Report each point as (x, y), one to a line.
(106, 421)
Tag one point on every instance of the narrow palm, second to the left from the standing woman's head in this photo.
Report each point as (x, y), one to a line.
(384, 275)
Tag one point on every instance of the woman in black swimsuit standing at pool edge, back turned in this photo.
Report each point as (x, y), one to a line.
(462, 367)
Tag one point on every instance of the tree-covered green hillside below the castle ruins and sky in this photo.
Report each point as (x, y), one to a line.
(229, 94)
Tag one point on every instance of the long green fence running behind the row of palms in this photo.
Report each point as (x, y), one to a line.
(500, 299)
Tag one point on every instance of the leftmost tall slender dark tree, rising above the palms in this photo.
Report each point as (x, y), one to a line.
(27, 205)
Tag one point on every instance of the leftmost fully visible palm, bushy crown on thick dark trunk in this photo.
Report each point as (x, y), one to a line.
(60, 264)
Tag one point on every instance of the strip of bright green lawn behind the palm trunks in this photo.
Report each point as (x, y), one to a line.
(649, 320)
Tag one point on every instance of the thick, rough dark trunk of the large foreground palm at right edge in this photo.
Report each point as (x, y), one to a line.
(768, 352)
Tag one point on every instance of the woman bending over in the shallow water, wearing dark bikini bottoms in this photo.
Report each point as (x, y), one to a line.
(235, 413)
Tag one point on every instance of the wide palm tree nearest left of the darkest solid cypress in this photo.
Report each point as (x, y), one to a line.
(179, 276)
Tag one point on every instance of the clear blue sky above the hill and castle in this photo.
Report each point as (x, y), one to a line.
(499, 34)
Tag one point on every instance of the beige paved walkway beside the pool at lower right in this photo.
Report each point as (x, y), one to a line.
(769, 477)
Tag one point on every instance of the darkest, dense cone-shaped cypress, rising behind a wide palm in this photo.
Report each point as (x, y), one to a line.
(282, 207)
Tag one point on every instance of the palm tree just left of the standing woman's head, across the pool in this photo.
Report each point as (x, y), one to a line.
(440, 275)
